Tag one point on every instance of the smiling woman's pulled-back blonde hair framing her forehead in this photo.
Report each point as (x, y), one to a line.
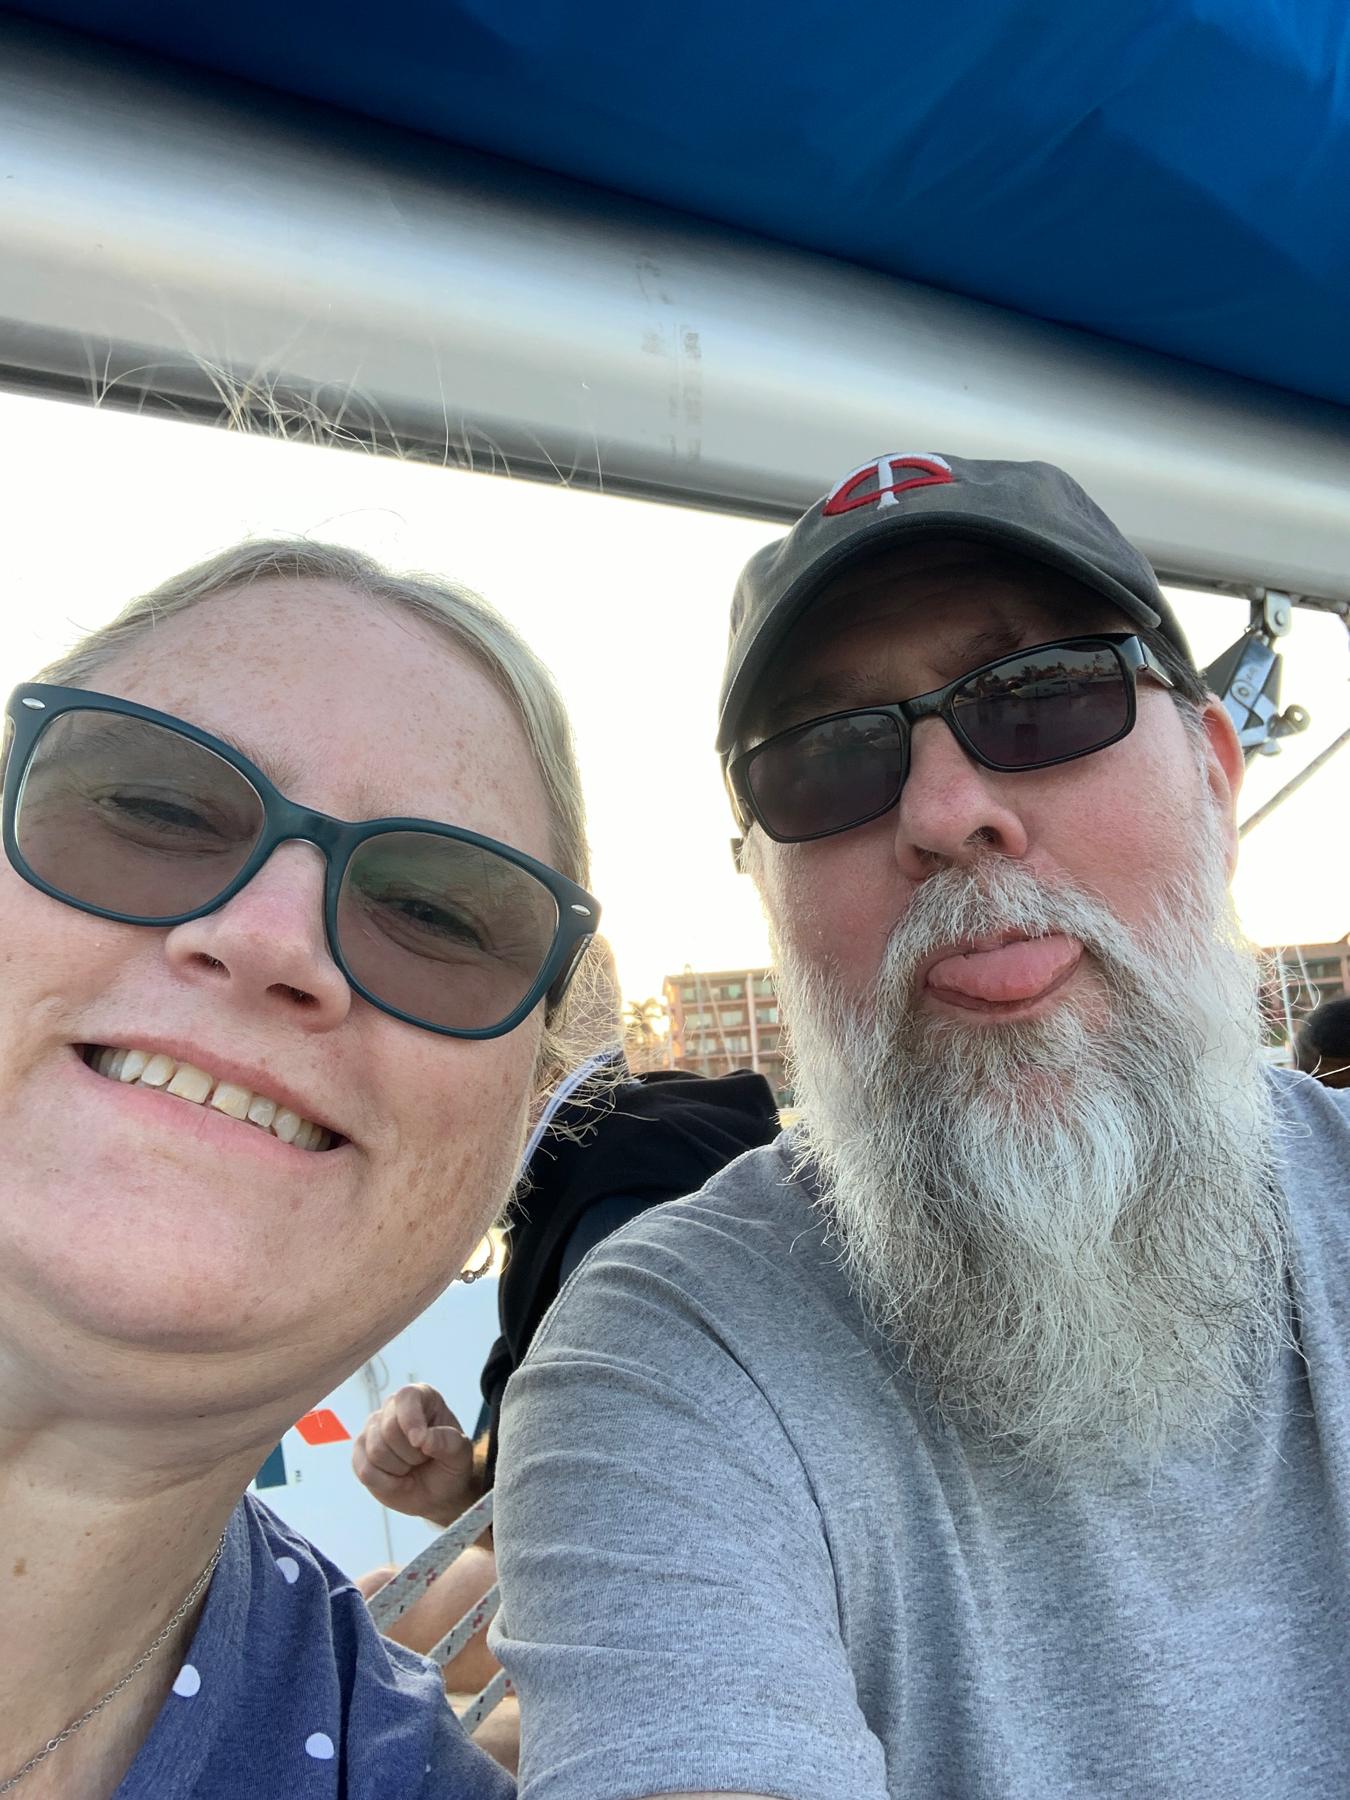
(462, 616)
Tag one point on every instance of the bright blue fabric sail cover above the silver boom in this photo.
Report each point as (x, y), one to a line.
(1174, 174)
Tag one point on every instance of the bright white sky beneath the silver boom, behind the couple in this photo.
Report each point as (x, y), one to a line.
(625, 600)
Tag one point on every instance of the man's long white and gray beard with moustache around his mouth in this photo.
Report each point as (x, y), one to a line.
(1070, 1227)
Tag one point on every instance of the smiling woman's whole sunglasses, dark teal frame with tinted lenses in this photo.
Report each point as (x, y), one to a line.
(136, 816)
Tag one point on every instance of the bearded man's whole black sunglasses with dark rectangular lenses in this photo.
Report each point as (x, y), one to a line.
(1030, 710)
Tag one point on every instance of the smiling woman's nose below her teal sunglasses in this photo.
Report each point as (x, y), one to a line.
(265, 948)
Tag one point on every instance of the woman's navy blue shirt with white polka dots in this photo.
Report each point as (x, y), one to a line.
(289, 1682)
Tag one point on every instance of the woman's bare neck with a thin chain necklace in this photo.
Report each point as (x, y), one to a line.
(105, 1533)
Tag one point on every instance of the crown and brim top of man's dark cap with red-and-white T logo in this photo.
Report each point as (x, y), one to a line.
(1030, 508)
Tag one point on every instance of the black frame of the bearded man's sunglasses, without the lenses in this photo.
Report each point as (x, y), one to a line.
(1133, 658)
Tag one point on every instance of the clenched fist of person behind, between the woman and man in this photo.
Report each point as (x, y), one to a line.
(415, 1459)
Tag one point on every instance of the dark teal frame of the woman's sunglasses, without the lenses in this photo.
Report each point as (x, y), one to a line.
(33, 706)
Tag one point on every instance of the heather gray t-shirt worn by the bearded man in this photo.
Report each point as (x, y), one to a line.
(739, 1558)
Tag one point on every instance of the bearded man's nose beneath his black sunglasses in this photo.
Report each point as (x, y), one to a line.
(953, 811)
